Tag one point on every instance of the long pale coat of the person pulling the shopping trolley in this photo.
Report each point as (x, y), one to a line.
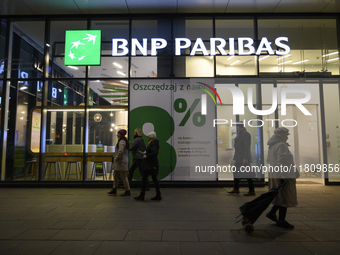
(279, 155)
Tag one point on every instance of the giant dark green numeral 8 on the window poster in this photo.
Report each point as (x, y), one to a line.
(164, 127)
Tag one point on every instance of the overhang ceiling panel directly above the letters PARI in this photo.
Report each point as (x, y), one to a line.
(202, 6)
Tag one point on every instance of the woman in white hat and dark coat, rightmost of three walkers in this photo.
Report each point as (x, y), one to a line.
(151, 159)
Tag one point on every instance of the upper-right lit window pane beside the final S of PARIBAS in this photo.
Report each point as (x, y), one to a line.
(313, 44)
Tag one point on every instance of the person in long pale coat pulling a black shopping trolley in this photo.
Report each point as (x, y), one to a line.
(279, 155)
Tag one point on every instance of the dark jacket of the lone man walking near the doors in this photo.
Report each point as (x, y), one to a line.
(242, 146)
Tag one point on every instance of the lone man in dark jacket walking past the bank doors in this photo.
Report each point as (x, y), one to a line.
(242, 159)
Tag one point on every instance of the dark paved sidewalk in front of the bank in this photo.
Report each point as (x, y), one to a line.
(187, 221)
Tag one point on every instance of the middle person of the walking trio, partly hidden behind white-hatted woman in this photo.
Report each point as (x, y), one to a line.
(137, 148)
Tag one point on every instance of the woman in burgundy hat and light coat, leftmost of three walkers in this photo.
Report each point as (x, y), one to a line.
(121, 163)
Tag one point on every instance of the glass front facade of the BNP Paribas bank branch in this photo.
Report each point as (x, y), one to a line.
(158, 74)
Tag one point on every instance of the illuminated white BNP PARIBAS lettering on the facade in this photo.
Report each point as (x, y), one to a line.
(245, 46)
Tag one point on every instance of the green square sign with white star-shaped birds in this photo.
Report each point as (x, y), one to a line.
(82, 47)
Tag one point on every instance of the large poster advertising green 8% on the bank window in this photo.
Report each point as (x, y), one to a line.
(173, 109)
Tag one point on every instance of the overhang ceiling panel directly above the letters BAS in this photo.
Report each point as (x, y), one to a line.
(252, 6)
